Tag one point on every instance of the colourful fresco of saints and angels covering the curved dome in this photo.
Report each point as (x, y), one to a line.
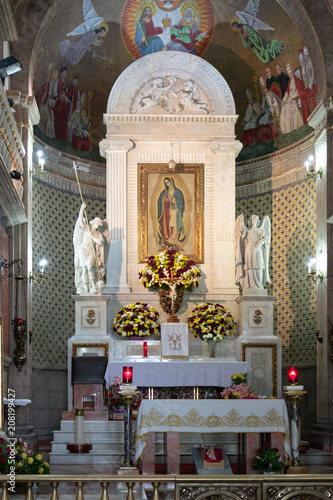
(253, 44)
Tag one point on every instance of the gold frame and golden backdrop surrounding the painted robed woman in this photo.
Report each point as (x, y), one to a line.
(189, 180)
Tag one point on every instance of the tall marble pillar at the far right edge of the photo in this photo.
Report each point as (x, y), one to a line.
(321, 435)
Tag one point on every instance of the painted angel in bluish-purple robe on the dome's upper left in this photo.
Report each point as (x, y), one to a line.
(93, 29)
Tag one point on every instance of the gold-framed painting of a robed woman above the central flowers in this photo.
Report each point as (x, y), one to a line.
(171, 210)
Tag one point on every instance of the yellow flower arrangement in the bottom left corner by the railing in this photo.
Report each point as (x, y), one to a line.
(25, 461)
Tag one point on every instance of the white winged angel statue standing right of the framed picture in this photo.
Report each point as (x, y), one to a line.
(252, 246)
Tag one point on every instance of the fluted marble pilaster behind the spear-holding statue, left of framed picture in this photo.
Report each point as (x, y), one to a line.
(115, 153)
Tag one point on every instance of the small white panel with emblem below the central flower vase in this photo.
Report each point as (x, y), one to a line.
(174, 340)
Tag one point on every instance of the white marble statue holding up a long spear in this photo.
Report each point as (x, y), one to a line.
(91, 240)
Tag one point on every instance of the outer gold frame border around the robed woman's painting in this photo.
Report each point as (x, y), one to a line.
(144, 169)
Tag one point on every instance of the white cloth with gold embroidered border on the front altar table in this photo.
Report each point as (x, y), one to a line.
(209, 415)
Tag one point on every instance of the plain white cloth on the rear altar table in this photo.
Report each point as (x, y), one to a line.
(178, 373)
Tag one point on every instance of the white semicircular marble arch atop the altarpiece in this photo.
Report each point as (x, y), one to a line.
(159, 69)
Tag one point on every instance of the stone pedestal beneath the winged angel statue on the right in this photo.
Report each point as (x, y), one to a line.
(258, 345)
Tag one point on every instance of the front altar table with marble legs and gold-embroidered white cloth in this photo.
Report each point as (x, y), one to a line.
(250, 416)
